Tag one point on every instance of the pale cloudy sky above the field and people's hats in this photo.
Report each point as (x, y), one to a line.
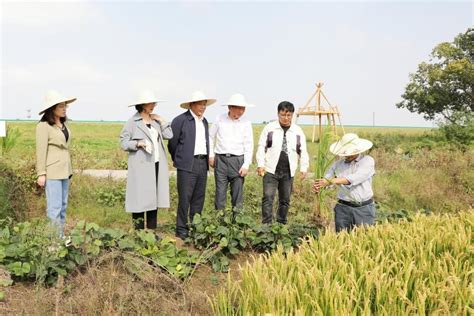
(105, 52)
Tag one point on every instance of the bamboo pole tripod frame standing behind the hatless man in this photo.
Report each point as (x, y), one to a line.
(318, 112)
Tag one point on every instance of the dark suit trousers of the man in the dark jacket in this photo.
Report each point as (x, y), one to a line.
(191, 193)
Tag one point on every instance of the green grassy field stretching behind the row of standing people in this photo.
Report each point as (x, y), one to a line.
(412, 173)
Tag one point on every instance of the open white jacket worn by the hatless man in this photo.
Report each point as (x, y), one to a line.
(269, 159)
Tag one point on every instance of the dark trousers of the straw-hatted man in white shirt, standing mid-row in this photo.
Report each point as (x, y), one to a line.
(226, 172)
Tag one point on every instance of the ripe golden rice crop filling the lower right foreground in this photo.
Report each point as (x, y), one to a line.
(420, 267)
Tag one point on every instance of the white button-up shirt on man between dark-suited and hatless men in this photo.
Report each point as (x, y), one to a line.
(228, 136)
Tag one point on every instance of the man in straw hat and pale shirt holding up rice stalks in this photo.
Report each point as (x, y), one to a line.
(353, 176)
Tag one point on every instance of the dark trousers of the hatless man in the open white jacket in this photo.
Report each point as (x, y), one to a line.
(283, 182)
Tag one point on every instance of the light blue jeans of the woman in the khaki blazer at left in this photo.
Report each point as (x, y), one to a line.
(56, 202)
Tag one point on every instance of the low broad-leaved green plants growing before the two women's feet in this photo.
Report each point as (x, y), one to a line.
(31, 250)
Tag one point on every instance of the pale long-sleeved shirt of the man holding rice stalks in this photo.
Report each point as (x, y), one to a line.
(359, 173)
